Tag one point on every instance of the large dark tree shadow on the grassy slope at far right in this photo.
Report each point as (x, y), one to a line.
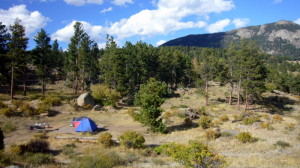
(278, 104)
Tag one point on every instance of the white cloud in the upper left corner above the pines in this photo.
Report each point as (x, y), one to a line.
(32, 21)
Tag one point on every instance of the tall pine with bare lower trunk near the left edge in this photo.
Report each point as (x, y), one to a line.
(17, 54)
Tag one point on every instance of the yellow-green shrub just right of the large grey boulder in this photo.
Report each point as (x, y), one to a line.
(104, 95)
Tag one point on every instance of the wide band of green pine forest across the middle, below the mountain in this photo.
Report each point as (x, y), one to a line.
(126, 68)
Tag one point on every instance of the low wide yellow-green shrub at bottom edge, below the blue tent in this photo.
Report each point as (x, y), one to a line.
(99, 160)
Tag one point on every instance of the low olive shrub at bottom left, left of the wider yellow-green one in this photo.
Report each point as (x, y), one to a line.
(39, 158)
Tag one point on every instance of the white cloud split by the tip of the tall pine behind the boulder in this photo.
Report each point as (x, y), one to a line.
(96, 32)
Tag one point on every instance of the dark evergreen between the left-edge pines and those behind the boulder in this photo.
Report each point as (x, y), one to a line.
(42, 57)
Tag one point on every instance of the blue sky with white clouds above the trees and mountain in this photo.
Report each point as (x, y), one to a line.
(153, 21)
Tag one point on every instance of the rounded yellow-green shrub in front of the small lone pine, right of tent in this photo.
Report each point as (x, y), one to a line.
(132, 139)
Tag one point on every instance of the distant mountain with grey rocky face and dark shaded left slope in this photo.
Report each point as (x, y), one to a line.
(279, 38)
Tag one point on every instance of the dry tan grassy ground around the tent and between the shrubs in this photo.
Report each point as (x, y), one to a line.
(262, 153)
